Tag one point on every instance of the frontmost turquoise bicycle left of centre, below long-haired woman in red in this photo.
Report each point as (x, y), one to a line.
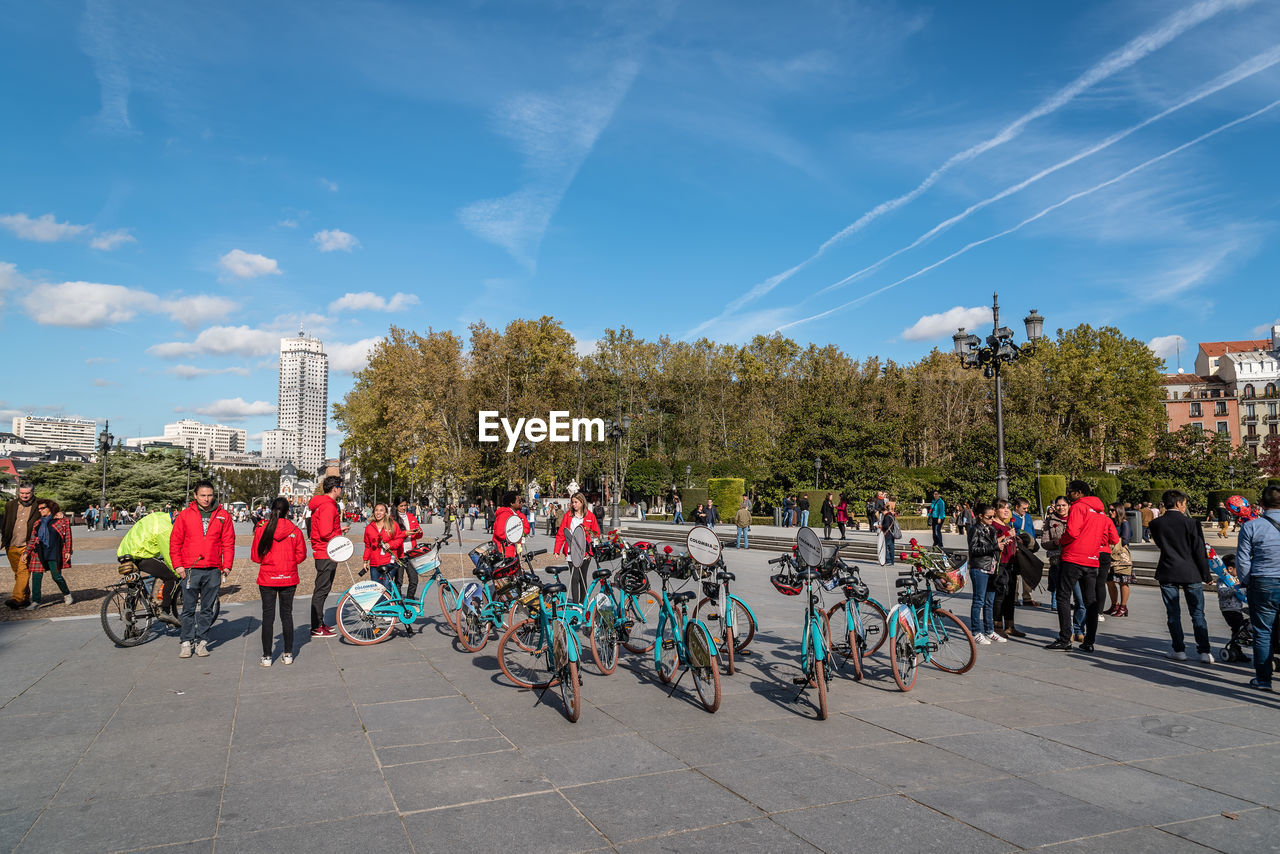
(542, 652)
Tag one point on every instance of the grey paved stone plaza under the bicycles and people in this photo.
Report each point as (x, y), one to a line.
(415, 746)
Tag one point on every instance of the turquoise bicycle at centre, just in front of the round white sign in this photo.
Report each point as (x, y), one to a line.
(684, 642)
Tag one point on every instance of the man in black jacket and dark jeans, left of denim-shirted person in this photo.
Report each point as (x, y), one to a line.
(1182, 572)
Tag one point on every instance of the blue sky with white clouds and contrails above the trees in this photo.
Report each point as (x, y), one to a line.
(181, 185)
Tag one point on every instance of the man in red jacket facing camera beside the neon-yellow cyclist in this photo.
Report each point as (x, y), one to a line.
(202, 547)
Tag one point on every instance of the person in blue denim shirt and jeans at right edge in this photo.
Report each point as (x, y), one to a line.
(1258, 563)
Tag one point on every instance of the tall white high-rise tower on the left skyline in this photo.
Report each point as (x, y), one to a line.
(304, 405)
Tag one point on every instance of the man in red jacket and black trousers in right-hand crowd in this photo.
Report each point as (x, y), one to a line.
(1089, 532)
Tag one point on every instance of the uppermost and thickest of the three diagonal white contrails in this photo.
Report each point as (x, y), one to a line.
(1122, 60)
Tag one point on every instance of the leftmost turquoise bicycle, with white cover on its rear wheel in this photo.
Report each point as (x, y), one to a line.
(368, 611)
